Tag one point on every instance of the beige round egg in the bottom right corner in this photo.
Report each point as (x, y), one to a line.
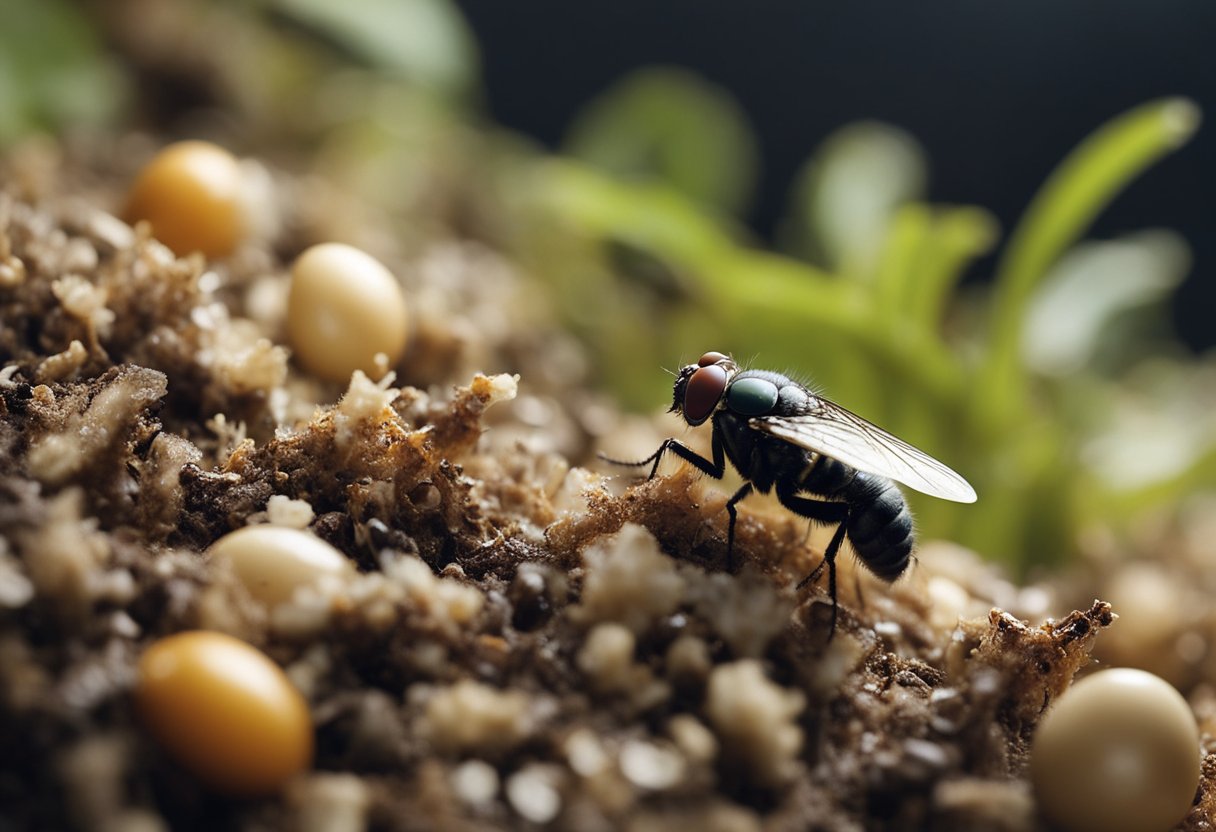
(1119, 752)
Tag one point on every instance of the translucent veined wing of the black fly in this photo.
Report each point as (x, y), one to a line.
(832, 431)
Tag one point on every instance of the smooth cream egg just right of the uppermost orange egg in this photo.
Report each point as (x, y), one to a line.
(344, 308)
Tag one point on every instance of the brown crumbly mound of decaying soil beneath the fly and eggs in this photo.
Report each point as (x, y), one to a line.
(522, 643)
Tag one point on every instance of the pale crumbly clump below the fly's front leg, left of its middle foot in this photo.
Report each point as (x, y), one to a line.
(630, 581)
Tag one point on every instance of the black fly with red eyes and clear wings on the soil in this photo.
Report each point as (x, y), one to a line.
(825, 463)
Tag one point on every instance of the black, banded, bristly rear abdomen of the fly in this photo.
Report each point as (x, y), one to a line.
(880, 526)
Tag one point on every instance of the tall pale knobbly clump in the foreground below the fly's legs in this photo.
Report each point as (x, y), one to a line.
(757, 721)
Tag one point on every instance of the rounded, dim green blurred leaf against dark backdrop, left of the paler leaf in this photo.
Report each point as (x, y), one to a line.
(671, 126)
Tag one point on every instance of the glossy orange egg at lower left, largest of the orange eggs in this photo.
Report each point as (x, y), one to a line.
(226, 712)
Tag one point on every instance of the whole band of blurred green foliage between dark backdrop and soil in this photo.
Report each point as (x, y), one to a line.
(1060, 393)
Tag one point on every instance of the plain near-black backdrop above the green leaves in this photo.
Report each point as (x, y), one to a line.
(998, 92)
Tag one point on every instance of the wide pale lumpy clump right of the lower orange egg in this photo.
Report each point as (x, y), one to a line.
(470, 717)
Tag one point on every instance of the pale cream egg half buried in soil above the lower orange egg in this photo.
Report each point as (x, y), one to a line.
(273, 561)
